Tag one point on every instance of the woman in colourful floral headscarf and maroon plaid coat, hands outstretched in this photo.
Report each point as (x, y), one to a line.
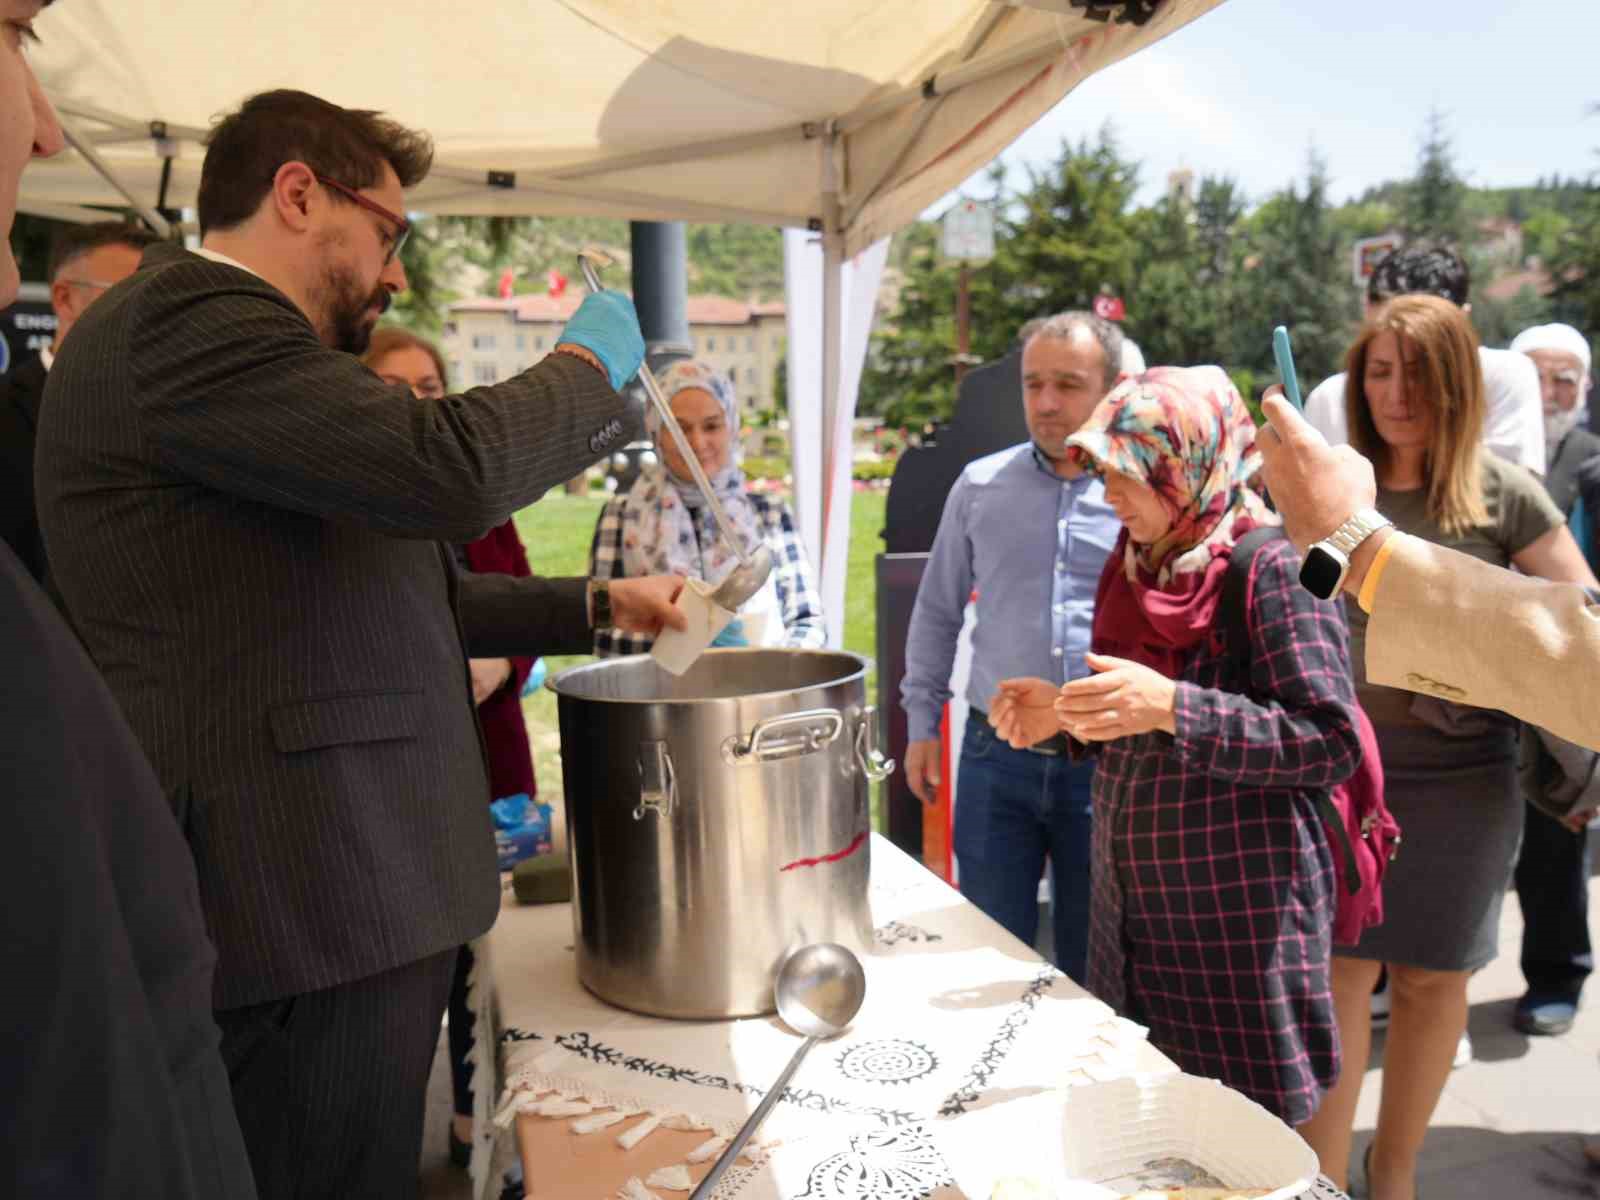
(1214, 887)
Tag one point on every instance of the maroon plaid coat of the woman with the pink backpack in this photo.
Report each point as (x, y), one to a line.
(1214, 882)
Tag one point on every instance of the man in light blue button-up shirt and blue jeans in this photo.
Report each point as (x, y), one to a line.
(1031, 534)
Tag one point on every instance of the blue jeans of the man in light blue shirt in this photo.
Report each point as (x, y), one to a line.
(1012, 810)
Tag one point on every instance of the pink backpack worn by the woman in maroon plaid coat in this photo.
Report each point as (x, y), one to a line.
(1362, 833)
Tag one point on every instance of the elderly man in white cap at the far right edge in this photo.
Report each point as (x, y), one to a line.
(1553, 873)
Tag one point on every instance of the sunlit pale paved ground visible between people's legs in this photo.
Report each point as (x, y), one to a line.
(1508, 1127)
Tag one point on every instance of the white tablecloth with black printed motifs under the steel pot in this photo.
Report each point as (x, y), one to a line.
(958, 1014)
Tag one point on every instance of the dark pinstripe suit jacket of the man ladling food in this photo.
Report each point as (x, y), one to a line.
(246, 529)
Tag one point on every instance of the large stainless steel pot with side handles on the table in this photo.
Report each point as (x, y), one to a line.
(716, 822)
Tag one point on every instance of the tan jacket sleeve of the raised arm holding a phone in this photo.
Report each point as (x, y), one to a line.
(1450, 626)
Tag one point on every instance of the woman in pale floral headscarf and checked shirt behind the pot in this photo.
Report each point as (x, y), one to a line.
(663, 524)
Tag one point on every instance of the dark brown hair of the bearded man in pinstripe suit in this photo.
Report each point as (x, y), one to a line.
(350, 146)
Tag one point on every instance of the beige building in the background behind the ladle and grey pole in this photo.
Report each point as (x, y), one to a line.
(492, 340)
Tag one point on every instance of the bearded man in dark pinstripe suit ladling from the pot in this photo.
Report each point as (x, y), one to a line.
(246, 527)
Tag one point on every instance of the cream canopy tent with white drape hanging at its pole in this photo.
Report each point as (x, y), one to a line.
(839, 119)
